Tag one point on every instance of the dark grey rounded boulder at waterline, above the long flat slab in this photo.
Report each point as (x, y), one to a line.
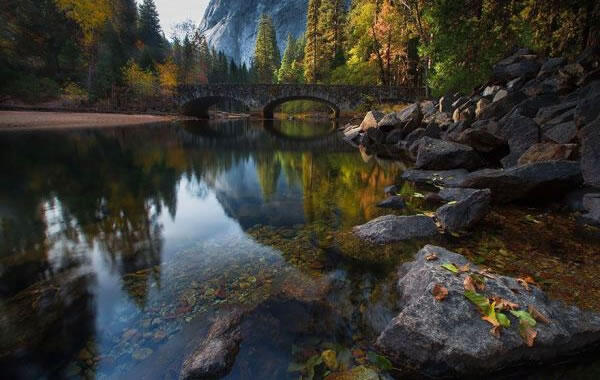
(443, 155)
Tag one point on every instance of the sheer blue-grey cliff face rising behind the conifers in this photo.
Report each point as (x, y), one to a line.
(230, 25)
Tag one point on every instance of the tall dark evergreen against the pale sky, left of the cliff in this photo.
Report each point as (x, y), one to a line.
(150, 34)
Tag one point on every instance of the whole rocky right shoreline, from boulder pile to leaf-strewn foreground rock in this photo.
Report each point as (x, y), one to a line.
(530, 135)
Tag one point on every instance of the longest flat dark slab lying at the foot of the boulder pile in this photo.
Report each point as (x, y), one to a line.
(539, 180)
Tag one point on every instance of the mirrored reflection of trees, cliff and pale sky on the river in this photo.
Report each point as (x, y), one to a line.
(112, 240)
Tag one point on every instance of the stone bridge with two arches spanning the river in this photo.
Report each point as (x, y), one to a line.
(264, 98)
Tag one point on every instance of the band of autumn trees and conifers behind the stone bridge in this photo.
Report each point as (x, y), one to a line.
(94, 51)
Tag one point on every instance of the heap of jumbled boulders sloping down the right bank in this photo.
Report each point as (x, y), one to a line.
(534, 127)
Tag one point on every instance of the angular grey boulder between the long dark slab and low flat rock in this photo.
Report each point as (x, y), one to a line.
(464, 212)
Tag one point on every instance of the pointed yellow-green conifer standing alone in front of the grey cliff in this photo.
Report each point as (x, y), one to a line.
(266, 53)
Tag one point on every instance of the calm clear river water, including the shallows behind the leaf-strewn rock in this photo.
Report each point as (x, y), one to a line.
(120, 247)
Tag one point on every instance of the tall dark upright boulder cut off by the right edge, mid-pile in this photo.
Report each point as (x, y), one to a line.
(590, 152)
